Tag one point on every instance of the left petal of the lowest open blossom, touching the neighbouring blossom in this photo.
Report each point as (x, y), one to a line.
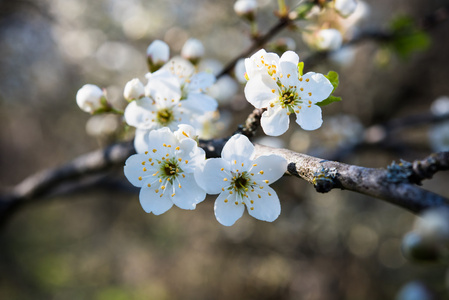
(210, 177)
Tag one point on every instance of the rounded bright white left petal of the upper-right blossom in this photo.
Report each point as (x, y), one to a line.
(259, 91)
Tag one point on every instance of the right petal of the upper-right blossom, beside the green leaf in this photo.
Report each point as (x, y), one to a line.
(318, 85)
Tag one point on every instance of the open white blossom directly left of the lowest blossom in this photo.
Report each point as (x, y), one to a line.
(165, 172)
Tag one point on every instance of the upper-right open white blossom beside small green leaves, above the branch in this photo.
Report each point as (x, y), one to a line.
(279, 88)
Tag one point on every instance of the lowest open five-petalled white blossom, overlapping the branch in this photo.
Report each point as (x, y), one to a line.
(240, 180)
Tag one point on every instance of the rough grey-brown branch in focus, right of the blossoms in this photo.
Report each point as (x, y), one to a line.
(326, 175)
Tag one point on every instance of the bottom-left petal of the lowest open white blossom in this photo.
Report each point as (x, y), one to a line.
(228, 212)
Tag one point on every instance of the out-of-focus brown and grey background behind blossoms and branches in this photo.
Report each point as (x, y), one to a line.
(97, 242)
